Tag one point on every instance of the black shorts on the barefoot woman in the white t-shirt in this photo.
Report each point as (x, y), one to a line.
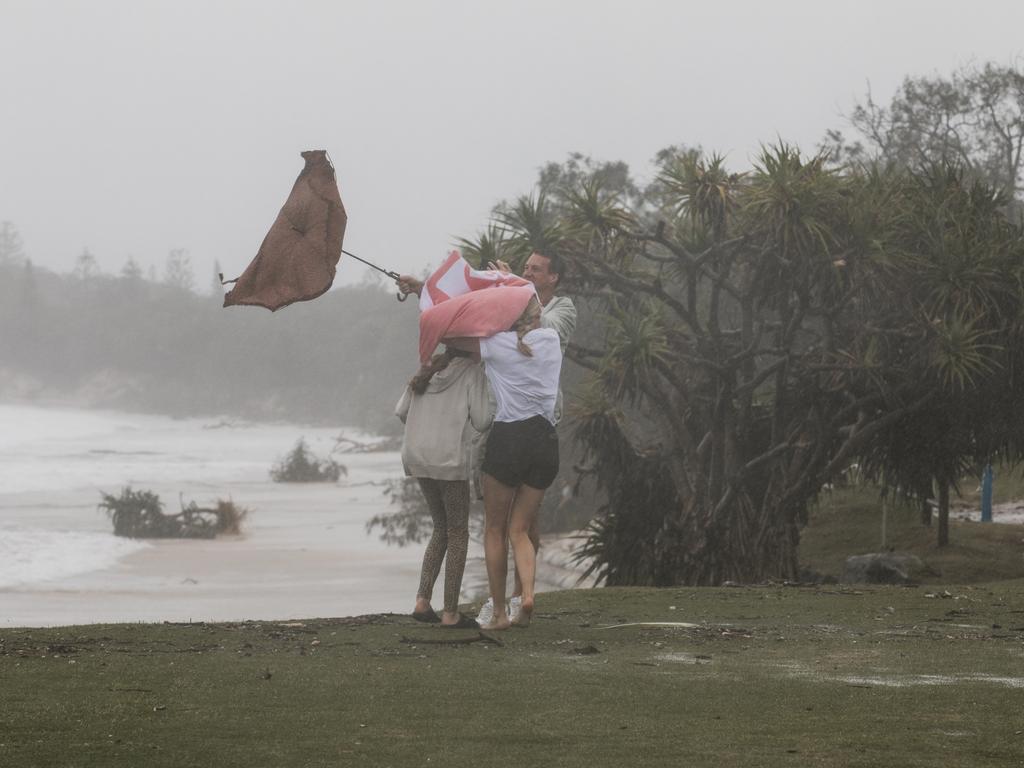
(523, 453)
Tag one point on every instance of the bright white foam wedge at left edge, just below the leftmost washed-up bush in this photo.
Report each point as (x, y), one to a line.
(34, 556)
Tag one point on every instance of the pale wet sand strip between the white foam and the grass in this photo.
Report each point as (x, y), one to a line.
(238, 579)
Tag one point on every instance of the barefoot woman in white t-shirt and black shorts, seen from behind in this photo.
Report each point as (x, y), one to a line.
(522, 455)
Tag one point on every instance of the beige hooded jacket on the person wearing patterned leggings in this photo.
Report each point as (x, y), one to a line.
(444, 424)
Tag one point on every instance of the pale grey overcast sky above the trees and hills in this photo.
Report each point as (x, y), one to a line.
(134, 129)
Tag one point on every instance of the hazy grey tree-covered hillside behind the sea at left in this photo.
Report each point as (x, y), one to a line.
(133, 344)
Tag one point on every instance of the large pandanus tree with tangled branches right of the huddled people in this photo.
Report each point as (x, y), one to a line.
(752, 335)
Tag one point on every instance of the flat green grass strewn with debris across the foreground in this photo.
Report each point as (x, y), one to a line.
(771, 676)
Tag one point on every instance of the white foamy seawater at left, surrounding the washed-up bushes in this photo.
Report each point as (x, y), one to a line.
(55, 464)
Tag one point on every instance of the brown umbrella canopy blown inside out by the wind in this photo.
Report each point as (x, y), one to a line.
(298, 258)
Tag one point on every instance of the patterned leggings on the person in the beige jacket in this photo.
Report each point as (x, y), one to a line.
(449, 503)
